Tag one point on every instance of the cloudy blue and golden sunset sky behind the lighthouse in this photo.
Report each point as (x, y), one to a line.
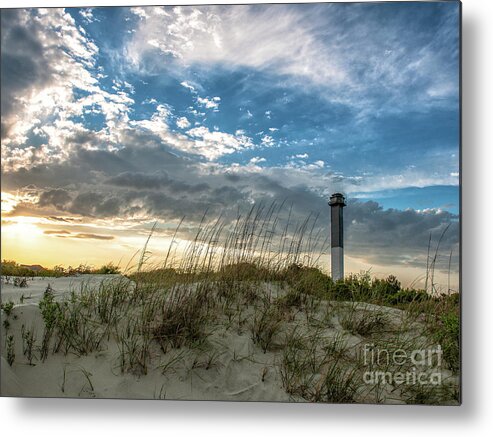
(113, 119)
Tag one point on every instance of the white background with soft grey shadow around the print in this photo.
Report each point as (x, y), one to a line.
(34, 417)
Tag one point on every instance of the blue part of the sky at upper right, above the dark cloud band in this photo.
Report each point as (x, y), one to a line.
(406, 127)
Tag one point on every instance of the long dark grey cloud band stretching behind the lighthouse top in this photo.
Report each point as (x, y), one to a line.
(150, 181)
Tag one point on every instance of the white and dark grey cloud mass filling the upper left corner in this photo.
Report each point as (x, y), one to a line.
(49, 62)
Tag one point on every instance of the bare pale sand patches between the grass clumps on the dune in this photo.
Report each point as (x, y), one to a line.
(240, 370)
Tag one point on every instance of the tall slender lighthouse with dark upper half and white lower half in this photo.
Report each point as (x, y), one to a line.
(337, 202)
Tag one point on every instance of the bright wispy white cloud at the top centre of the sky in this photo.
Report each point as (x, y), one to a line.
(271, 38)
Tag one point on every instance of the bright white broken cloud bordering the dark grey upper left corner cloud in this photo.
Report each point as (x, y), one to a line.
(49, 109)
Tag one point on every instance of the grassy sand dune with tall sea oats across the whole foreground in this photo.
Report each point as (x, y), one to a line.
(245, 314)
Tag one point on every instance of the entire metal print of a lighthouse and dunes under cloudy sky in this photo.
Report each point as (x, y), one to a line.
(237, 202)
